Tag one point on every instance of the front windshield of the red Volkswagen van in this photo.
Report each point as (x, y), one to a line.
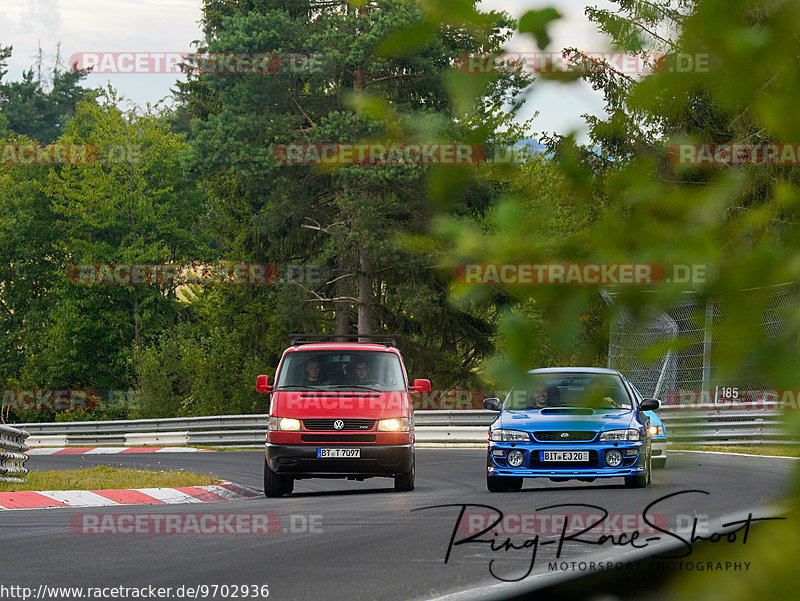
(341, 370)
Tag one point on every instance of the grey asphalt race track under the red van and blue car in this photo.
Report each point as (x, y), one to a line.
(366, 541)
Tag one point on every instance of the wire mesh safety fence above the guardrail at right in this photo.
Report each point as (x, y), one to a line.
(691, 372)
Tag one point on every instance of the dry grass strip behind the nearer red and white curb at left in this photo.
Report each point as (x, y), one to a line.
(104, 477)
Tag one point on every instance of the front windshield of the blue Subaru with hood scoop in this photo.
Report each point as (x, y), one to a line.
(582, 390)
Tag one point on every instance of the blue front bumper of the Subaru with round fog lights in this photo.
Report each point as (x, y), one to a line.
(533, 465)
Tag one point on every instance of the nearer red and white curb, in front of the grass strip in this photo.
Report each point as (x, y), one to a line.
(216, 493)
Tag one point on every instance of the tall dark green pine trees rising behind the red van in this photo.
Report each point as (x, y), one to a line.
(369, 88)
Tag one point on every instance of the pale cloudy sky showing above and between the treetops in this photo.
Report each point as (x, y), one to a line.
(170, 26)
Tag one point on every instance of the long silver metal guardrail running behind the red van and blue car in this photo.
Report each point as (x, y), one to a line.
(709, 424)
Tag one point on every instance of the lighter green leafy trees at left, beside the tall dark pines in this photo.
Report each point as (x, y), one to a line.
(139, 209)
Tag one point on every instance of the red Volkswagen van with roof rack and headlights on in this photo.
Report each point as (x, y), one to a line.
(339, 410)
